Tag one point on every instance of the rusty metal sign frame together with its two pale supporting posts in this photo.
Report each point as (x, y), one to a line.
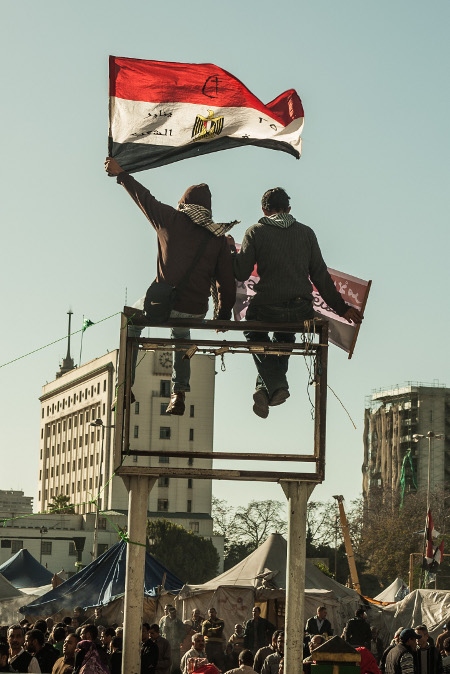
(297, 486)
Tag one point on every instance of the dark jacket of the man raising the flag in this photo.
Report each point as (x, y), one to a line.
(179, 238)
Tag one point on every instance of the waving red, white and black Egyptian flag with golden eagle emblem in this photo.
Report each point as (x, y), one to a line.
(162, 112)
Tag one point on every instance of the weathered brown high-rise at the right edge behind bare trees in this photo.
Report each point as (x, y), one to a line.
(394, 460)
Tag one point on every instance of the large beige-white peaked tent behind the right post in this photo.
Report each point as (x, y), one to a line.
(261, 578)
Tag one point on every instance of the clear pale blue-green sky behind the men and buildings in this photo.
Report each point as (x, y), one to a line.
(373, 182)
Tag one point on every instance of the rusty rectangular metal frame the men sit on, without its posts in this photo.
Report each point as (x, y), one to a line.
(314, 343)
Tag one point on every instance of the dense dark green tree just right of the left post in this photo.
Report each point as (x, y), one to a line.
(192, 558)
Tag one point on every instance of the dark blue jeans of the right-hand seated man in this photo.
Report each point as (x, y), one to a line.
(272, 370)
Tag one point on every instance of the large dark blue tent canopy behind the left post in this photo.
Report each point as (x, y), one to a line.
(102, 581)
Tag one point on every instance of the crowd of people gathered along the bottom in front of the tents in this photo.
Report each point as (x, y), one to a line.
(82, 644)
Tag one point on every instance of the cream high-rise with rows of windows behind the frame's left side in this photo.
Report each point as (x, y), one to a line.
(77, 433)
